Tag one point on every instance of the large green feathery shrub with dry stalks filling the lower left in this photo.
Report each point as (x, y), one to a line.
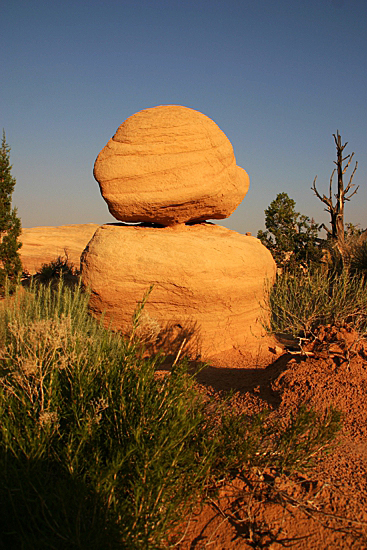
(82, 405)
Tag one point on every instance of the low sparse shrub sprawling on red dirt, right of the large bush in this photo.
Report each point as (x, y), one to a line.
(259, 443)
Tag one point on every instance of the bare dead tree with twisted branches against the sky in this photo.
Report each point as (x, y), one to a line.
(336, 210)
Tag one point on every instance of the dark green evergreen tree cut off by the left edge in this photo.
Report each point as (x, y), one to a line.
(10, 227)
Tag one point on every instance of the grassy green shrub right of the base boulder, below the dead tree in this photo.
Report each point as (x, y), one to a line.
(301, 302)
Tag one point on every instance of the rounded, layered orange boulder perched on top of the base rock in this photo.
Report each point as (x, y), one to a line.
(170, 164)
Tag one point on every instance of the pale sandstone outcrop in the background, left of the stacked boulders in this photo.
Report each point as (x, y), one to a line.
(42, 245)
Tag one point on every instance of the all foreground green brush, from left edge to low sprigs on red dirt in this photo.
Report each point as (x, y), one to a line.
(98, 452)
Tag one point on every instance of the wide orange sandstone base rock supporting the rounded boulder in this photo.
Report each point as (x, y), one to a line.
(209, 284)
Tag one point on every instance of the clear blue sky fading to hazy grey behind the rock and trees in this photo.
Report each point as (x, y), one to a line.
(279, 77)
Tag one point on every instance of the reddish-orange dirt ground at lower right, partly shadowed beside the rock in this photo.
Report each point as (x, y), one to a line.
(323, 509)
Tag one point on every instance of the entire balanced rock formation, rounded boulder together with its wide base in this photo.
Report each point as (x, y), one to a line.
(171, 168)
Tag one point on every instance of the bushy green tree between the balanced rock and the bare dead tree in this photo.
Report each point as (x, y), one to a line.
(290, 237)
